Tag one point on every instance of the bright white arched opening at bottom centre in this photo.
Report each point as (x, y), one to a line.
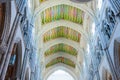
(60, 75)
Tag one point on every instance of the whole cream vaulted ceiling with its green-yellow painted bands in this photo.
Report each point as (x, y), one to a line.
(66, 43)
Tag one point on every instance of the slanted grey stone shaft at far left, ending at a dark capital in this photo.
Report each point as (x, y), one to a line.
(6, 59)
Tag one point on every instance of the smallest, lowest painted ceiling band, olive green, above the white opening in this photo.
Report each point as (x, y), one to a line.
(61, 60)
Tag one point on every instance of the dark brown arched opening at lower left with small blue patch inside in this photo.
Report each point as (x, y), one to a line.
(15, 62)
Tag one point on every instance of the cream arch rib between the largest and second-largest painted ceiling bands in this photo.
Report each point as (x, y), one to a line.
(74, 26)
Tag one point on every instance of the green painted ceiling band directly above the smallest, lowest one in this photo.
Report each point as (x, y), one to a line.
(61, 48)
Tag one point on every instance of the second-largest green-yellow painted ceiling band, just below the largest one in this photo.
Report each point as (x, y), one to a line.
(62, 31)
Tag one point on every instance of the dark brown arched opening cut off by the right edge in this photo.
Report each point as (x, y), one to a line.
(117, 55)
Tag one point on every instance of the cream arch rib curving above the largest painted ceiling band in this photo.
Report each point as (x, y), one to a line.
(45, 5)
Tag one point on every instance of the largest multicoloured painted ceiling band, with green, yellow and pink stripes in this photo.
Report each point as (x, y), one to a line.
(62, 12)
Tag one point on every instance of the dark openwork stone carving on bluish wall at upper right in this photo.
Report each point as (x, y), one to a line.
(108, 23)
